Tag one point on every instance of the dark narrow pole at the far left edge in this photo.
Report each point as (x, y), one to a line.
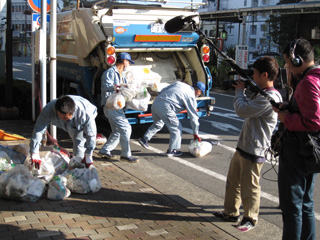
(9, 80)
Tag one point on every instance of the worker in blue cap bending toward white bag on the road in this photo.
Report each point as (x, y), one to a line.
(173, 99)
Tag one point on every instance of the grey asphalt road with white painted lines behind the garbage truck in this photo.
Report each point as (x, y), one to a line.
(201, 181)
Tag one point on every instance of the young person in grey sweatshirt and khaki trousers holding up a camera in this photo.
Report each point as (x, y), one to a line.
(246, 163)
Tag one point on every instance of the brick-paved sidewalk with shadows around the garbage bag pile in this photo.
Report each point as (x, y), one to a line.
(126, 207)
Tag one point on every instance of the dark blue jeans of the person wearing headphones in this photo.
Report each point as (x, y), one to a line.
(295, 193)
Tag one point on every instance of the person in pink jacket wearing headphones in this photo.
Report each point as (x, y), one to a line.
(302, 115)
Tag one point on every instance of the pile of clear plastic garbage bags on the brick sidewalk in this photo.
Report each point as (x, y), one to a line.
(57, 178)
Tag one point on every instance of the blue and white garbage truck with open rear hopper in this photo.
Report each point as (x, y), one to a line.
(90, 35)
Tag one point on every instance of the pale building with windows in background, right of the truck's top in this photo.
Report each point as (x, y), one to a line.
(255, 34)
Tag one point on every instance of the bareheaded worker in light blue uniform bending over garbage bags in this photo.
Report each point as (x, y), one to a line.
(75, 115)
